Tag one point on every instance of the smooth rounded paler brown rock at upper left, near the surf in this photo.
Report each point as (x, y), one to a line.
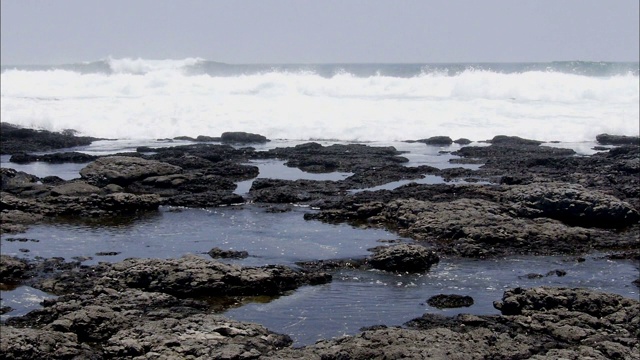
(122, 170)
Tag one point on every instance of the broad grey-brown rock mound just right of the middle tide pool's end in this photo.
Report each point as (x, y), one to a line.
(483, 224)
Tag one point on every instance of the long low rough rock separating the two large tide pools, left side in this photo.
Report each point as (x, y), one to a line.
(189, 276)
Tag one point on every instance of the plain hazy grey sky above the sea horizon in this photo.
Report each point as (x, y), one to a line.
(323, 31)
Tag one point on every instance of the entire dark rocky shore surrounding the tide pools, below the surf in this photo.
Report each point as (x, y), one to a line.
(526, 198)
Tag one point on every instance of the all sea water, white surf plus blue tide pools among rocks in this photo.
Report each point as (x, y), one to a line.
(142, 103)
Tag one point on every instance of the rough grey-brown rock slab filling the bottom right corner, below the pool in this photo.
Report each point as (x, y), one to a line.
(571, 332)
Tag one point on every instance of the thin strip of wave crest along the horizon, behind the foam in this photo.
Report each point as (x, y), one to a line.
(199, 66)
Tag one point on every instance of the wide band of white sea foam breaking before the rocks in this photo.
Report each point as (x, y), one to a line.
(143, 99)
